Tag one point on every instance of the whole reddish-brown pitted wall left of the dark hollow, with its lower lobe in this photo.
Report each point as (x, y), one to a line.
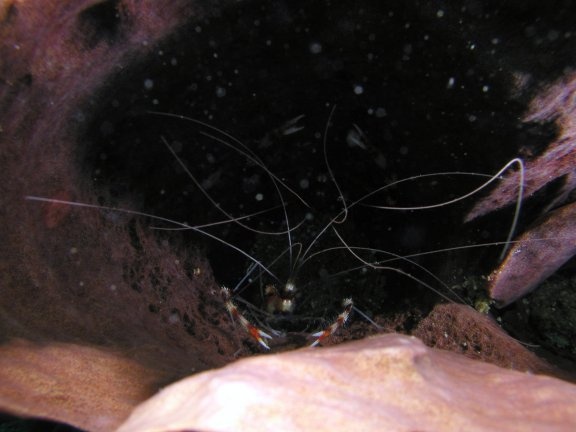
(86, 297)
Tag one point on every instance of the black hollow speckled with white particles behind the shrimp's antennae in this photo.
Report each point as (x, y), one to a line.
(408, 100)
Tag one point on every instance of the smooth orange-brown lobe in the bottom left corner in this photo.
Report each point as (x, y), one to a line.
(83, 386)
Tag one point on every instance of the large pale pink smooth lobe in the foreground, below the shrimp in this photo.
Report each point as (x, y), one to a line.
(389, 382)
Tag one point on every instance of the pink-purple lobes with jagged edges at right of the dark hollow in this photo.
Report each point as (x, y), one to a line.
(550, 243)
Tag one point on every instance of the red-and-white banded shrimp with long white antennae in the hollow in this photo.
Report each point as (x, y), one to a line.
(293, 290)
